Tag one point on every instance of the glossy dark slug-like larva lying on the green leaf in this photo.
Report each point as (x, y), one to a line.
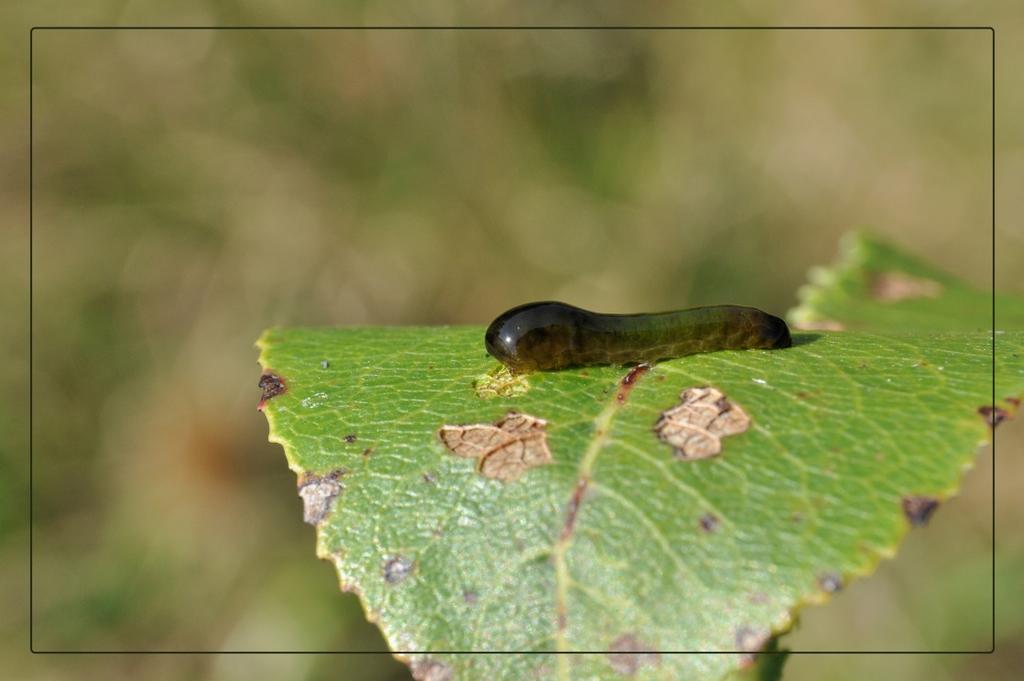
(547, 336)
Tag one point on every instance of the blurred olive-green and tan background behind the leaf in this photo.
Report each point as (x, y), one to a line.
(194, 188)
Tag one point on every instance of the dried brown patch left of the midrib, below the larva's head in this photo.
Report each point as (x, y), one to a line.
(505, 450)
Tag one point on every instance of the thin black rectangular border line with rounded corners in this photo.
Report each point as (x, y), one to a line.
(409, 654)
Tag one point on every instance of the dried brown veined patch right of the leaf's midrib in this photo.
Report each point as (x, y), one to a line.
(696, 428)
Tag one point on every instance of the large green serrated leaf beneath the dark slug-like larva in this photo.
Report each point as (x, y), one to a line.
(617, 546)
